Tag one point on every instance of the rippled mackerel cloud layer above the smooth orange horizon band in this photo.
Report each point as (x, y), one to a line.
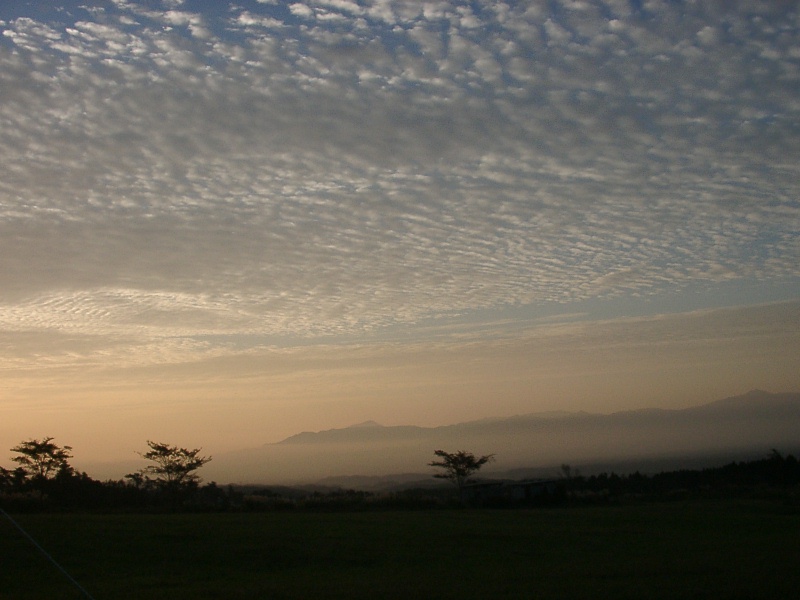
(186, 181)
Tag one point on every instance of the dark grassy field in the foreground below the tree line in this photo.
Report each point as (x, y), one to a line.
(680, 550)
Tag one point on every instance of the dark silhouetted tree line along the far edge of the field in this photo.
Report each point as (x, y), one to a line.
(44, 479)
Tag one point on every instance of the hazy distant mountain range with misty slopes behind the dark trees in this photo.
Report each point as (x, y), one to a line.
(738, 428)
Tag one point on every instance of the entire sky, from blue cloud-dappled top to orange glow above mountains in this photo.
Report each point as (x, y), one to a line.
(223, 223)
